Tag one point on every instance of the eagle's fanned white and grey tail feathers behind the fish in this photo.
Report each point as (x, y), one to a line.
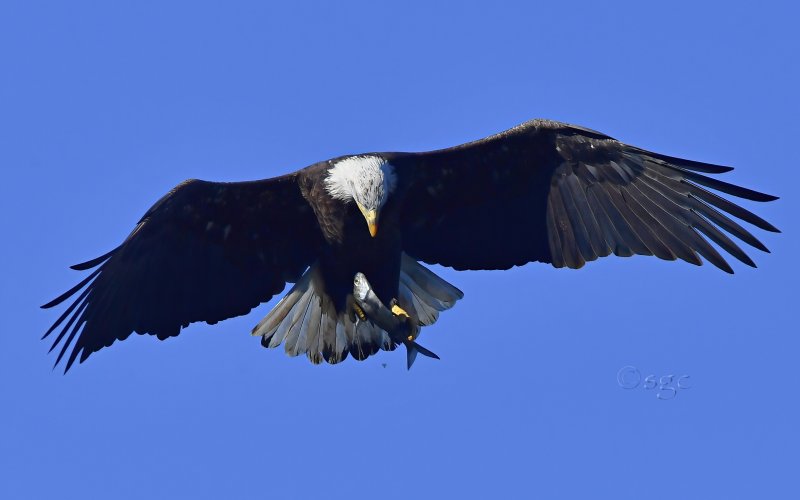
(306, 320)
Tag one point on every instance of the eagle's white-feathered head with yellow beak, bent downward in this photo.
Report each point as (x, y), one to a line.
(368, 180)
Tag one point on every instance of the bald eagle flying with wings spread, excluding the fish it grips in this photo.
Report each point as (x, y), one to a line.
(540, 192)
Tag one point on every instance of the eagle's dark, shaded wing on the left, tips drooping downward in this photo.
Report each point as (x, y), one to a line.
(206, 251)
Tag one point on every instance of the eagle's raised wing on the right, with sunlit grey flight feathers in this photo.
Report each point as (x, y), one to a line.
(550, 192)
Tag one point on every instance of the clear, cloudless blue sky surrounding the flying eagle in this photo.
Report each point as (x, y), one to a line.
(104, 106)
